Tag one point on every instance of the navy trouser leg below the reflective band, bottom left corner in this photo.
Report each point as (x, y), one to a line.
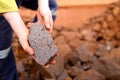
(8, 68)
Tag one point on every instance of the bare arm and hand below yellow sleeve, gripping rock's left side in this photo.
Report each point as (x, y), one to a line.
(20, 29)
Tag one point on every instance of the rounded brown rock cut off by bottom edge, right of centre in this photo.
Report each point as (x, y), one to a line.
(90, 75)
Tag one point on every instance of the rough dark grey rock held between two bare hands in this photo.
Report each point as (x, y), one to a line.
(42, 43)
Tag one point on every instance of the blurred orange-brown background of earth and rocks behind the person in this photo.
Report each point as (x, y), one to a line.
(87, 33)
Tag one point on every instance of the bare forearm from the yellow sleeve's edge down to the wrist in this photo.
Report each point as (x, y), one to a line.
(16, 22)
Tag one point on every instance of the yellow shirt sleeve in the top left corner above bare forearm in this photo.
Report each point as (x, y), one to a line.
(8, 6)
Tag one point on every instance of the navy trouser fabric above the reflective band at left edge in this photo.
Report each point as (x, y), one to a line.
(5, 34)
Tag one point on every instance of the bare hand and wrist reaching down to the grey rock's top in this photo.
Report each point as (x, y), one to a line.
(44, 14)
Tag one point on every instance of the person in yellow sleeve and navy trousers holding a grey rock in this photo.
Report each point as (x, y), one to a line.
(10, 20)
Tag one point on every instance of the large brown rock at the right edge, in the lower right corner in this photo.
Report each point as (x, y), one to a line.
(109, 65)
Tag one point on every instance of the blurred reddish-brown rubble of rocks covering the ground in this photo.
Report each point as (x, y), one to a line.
(89, 52)
